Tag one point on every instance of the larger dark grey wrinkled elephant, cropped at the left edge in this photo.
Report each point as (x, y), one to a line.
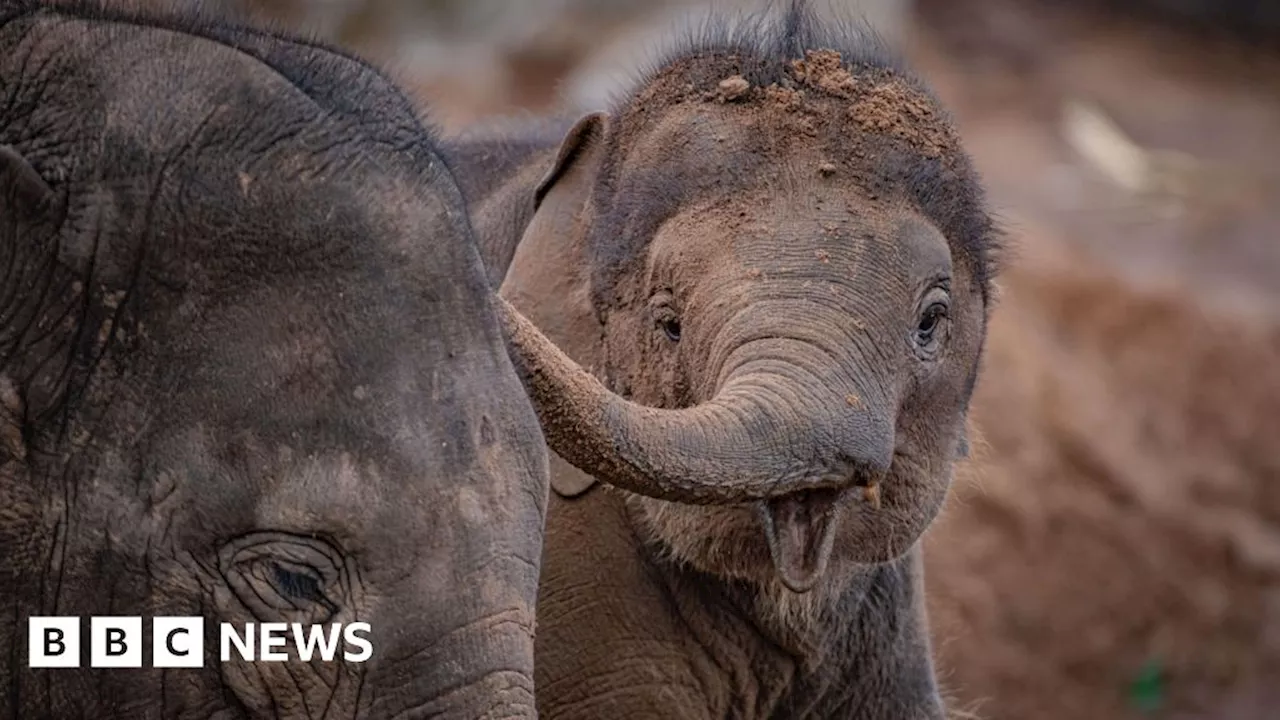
(250, 370)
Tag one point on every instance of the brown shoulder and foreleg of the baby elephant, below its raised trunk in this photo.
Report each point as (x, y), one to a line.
(610, 644)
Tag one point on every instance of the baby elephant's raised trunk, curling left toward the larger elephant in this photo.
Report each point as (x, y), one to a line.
(724, 452)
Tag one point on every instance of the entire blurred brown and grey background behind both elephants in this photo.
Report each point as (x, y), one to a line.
(1113, 549)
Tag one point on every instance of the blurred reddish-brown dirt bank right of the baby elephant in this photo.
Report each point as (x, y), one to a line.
(1116, 545)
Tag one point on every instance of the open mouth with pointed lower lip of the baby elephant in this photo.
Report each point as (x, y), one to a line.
(801, 530)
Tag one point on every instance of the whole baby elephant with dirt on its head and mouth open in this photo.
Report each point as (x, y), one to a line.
(775, 258)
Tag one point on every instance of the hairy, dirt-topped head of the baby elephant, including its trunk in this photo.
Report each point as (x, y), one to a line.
(789, 268)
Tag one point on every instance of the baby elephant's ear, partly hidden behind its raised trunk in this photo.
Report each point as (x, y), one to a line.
(550, 280)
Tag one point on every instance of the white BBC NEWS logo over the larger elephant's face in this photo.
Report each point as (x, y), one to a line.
(180, 642)
